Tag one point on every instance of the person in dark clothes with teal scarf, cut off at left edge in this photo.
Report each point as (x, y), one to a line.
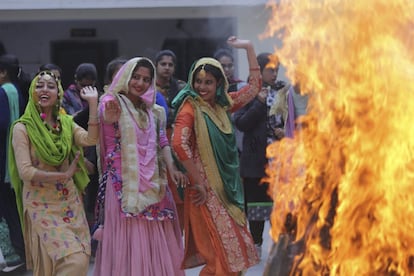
(12, 104)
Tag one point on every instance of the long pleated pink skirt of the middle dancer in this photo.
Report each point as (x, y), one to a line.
(133, 246)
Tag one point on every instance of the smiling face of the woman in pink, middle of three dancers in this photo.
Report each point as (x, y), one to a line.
(139, 83)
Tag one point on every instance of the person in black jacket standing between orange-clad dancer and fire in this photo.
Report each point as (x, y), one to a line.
(259, 130)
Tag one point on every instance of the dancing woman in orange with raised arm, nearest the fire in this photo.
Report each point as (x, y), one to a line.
(216, 233)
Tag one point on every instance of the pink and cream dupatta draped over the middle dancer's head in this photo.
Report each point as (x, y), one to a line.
(139, 172)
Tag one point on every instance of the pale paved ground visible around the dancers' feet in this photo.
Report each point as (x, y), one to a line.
(253, 271)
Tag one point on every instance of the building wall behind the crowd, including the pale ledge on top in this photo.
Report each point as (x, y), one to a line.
(139, 31)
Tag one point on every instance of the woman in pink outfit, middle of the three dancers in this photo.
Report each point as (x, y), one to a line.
(139, 233)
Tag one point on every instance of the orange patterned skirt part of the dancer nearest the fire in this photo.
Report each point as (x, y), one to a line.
(204, 240)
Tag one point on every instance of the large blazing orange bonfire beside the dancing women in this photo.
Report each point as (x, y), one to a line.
(348, 176)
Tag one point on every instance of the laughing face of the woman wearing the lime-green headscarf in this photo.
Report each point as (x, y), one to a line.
(46, 91)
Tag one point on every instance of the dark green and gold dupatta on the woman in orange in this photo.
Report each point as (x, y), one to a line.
(216, 142)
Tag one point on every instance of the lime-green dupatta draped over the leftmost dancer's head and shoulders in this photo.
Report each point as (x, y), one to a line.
(51, 148)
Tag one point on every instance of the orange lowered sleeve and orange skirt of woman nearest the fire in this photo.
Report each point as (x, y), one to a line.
(212, 236)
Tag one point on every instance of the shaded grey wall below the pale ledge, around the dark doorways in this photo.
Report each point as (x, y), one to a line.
(30, 41)
